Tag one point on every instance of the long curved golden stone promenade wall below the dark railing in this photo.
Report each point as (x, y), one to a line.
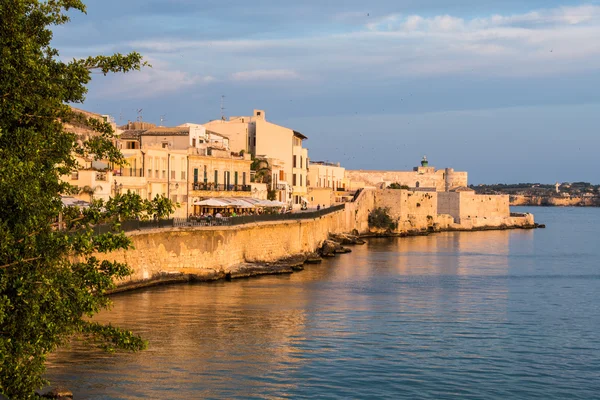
(208, 252)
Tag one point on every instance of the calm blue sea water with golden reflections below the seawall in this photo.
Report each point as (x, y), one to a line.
(480, 315)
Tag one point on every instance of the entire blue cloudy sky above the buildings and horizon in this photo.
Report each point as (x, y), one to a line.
(507, 90)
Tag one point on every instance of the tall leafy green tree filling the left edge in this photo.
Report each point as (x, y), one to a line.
(50, 281)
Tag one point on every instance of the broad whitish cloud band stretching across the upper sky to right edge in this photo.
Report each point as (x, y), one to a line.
(540, 42)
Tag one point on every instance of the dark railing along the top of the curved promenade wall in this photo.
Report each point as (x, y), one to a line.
(135, 225)
